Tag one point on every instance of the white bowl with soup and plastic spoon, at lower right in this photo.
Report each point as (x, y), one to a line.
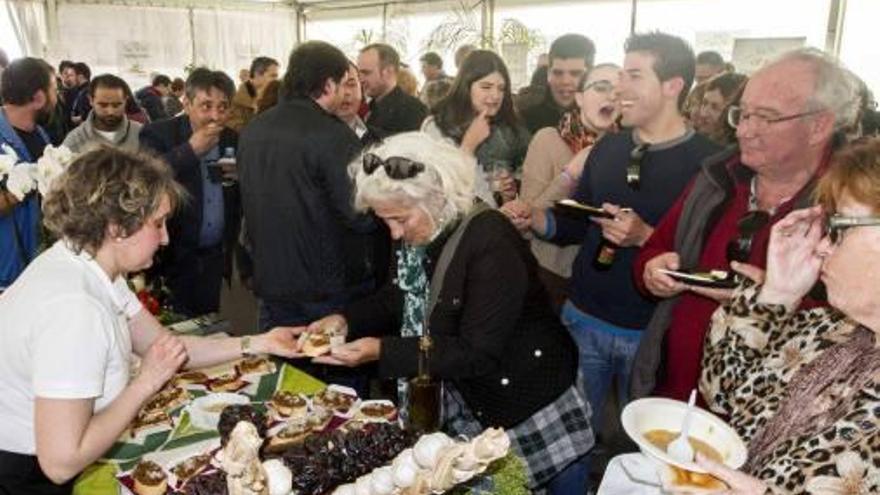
(655, 413)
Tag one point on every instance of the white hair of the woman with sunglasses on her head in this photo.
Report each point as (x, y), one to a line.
(445, 189)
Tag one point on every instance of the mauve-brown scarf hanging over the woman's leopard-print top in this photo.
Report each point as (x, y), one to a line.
(820, 393)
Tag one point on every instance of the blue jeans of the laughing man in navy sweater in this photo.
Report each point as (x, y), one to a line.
(605, 351)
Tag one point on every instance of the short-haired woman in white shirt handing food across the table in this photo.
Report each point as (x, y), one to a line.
(70, 324)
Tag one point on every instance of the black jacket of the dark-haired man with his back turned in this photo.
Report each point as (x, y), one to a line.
(308, 244)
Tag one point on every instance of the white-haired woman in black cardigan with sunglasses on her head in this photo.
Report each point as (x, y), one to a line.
(504, 358)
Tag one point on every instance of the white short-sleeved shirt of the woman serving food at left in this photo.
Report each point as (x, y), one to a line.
(63, 335)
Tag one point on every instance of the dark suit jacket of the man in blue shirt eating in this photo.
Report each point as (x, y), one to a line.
(170, 139)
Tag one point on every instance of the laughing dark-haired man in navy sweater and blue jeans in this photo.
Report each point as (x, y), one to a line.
(635, 175)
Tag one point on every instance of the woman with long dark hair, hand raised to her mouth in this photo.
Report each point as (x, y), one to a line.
(478, 116)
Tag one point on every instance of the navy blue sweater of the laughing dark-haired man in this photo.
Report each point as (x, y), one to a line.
(666, 170)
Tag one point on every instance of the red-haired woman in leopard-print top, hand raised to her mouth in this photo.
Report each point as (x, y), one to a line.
(801, 387)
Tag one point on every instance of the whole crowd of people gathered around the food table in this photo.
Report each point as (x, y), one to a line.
(342, 195)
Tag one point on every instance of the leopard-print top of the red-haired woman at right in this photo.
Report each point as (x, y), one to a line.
(751, 353)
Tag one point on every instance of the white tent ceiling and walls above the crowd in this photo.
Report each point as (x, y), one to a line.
(171, 34)
